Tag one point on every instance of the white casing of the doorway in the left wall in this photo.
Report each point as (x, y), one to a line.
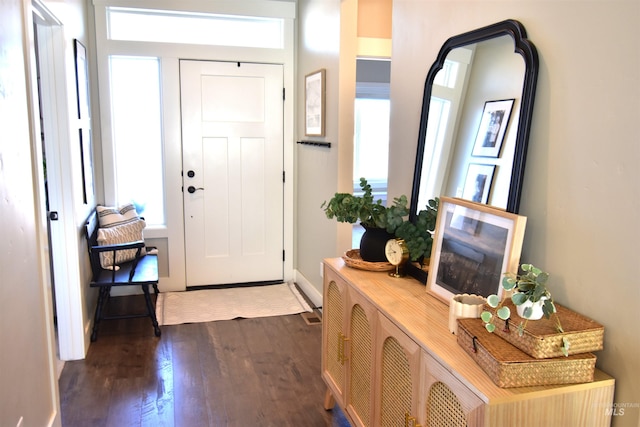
(71, 336)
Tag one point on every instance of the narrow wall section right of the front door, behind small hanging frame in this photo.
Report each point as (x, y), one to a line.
(326, 39)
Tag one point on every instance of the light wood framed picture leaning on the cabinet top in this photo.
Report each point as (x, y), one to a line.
(473, 246)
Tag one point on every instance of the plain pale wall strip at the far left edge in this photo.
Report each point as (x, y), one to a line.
(28, 387)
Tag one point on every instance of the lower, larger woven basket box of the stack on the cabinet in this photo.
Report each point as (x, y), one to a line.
(507, 366)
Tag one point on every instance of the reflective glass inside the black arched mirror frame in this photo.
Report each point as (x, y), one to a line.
(459, 125)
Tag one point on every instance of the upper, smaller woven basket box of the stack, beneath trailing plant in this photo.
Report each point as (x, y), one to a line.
(542, 340)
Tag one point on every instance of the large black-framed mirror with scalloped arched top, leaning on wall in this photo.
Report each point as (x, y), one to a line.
(476, 118)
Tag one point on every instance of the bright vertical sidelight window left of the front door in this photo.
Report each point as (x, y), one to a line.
(136, 127)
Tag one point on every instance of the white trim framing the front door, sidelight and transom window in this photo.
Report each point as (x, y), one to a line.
(170, 238)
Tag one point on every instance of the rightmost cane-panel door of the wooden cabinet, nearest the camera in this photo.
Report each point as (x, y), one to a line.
(448, 402)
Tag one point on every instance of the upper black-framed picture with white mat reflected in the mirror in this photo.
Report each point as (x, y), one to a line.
(493, 126)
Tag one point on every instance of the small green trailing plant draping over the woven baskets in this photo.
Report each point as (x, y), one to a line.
(529, 286)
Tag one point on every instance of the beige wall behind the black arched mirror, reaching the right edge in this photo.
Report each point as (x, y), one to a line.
(582, 182)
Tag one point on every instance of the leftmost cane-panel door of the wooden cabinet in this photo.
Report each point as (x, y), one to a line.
(333, 335)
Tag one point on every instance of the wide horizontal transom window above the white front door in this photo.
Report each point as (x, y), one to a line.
(194, 28)
